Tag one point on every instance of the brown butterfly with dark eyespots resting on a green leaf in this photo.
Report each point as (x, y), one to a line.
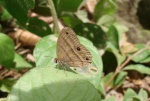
(69, 50)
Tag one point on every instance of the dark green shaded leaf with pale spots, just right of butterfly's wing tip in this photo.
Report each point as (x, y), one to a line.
(93, 32)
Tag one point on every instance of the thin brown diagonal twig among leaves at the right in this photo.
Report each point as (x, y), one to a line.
(125, 63)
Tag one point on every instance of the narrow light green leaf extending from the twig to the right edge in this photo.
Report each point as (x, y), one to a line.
(140, 68)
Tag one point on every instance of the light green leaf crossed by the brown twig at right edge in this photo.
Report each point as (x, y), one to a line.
(143, 55)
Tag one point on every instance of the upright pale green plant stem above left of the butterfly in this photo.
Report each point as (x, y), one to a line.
(54, 15)
